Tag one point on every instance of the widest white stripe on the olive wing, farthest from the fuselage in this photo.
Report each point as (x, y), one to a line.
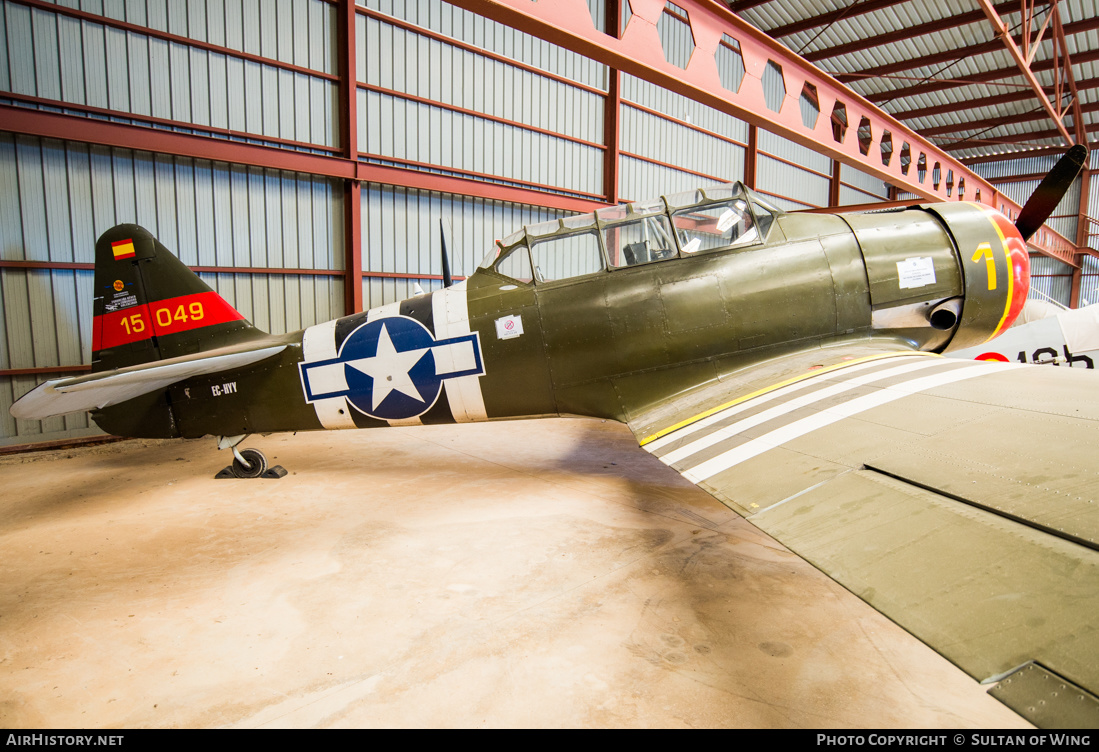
(834, 415)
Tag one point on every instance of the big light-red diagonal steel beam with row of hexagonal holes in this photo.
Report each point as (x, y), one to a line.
(639, 52)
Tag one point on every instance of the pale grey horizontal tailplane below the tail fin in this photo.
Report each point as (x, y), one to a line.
(60, 396)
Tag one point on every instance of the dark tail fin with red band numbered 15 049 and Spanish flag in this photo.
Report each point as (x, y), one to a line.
(150, 307)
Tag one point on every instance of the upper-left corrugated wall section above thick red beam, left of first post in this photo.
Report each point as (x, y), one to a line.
(58, 58)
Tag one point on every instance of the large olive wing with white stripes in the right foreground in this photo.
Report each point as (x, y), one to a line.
(959, 499)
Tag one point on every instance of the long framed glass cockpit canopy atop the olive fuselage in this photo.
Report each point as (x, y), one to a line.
(678, 226)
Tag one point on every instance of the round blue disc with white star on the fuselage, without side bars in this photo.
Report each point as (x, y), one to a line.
(391, 369)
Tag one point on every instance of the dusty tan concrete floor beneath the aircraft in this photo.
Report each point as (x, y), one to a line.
(535, 573)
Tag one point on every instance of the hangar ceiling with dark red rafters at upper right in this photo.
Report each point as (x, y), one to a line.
(941, 67)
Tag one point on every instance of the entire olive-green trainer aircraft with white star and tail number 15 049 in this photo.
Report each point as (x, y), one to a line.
(789, 364)
